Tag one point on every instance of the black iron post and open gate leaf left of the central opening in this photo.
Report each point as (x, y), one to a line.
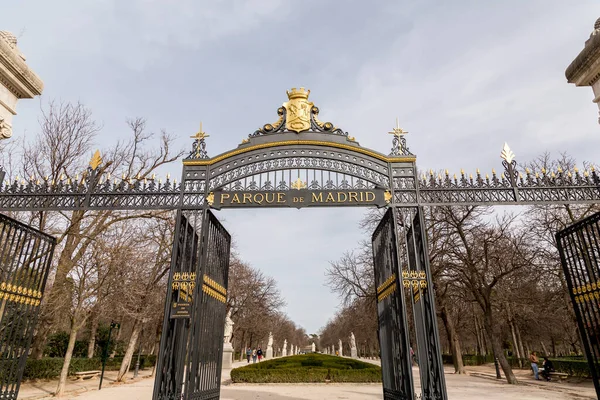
(194, 310)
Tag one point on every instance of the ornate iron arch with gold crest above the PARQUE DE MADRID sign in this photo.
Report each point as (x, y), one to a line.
(297, 147)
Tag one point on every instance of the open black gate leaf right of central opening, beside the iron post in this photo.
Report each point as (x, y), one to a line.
(391, 310)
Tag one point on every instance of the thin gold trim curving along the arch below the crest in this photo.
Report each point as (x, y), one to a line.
(232, 153)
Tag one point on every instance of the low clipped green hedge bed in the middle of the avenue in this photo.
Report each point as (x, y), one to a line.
(307, 368)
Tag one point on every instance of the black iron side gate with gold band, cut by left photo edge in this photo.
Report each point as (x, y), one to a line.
(25, 258)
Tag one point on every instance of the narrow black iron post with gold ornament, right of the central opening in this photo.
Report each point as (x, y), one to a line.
(418, 277)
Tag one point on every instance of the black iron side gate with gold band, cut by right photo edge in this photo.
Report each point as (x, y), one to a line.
(579, 248)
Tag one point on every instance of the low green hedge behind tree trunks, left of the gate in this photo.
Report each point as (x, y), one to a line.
(49, 368)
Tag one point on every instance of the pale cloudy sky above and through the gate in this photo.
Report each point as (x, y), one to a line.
(463, 77)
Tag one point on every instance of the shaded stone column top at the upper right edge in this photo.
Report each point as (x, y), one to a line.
(585, 68)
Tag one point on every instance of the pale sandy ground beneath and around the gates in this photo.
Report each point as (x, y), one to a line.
(473, 387)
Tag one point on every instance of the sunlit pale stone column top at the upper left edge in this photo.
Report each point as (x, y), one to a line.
(17, 81)
